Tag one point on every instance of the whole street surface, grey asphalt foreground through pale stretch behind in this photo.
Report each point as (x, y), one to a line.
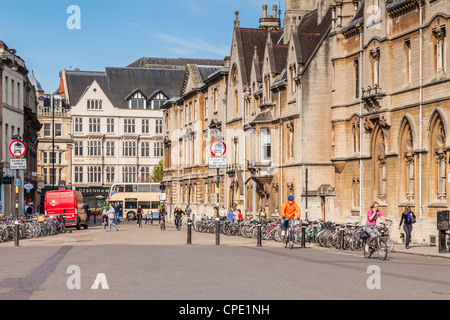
(147, 263)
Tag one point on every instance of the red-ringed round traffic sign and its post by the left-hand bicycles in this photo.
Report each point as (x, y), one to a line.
(17, 149)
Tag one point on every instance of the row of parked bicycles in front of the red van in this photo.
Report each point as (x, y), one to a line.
(32, 227)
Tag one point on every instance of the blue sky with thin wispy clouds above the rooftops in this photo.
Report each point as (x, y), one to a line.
(51, 35)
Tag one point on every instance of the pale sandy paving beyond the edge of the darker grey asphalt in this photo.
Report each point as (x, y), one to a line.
(150, 234)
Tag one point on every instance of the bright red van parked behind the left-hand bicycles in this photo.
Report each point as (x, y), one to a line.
(67, 202)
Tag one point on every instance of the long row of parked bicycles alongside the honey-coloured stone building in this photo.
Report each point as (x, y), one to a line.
(343, 236)
